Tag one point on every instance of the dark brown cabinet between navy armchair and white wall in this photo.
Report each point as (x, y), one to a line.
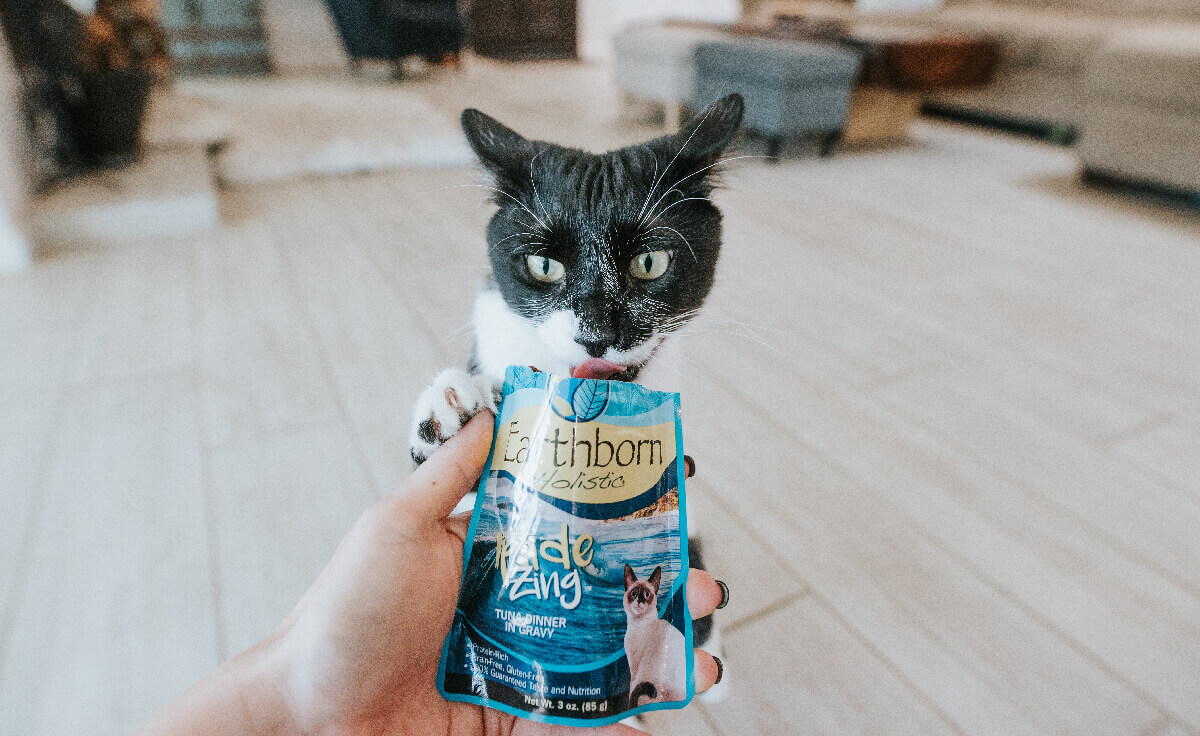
(524, 29)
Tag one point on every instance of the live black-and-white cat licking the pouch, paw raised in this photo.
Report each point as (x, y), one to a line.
(598, 260)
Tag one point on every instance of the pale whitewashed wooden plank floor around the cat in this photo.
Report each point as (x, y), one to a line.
(944, 408)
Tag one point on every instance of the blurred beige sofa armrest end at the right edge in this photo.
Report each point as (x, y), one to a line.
(1142, 117)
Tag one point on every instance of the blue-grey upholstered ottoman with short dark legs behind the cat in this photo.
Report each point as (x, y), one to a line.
(791, 88)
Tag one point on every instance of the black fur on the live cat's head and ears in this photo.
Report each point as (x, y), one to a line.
(595, 213)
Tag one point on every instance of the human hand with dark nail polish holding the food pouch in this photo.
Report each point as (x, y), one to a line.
(361, 651)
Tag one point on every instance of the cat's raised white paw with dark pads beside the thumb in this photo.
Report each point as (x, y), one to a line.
(454, 398)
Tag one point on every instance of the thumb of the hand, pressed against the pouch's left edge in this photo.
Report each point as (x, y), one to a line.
(439, 486)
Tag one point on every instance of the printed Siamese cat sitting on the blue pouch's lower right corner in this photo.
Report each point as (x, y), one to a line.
(655, 648)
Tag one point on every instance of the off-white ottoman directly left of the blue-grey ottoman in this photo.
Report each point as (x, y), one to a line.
(657, 63)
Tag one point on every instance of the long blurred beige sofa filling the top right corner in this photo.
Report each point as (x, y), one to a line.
(1123, 74)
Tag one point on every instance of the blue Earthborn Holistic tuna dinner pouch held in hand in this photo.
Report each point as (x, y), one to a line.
(573, 607)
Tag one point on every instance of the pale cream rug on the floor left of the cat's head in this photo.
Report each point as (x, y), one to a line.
(279, 129)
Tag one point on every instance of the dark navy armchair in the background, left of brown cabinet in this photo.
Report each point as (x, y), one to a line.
(394, 29)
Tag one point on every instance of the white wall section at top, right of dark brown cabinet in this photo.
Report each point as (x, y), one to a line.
(599, 20)
